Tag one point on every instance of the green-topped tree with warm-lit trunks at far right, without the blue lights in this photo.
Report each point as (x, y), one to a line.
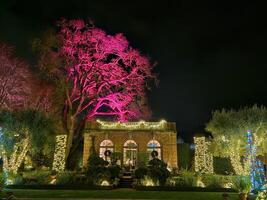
(229, 130)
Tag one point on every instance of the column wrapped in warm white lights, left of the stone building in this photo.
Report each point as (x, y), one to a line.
(60, 151)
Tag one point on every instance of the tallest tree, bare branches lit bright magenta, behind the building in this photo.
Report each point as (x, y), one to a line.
(99, 75)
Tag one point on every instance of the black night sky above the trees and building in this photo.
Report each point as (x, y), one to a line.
(210, 54)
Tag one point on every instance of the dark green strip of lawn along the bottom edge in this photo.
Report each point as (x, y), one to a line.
(120, 194)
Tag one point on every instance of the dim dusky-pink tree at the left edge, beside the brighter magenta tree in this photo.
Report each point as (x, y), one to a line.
(19, 89)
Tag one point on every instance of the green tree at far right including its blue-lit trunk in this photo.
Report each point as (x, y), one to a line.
(231, 138)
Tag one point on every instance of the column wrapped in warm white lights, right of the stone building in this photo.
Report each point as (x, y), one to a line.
(203, 159)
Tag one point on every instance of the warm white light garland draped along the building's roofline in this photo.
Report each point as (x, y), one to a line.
(133, 125)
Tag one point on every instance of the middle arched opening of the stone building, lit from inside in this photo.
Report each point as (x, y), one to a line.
(130, 153)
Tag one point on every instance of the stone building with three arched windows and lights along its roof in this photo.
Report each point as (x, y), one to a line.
(132, 142)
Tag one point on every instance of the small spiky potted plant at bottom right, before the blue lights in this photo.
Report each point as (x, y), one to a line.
(243, 185)
